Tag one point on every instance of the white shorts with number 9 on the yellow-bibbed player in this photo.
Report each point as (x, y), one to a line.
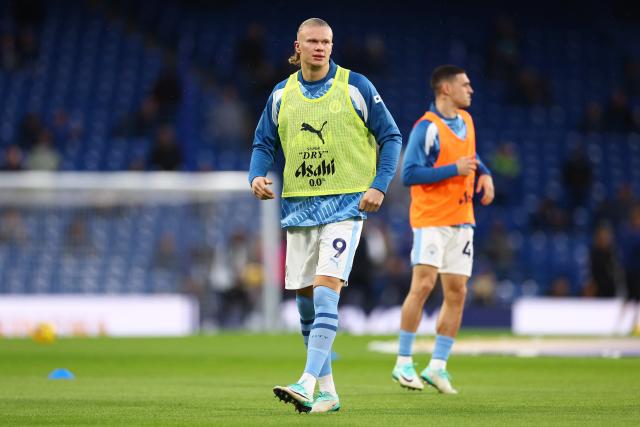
(324, 250)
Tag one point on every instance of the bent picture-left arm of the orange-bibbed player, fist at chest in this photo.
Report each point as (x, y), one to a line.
(421, 154)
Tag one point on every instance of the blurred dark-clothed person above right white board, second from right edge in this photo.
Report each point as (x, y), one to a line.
(605, 267)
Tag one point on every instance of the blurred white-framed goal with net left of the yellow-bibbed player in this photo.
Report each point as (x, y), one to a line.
(201, 234)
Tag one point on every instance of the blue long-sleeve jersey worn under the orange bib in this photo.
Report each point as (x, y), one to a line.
(423, 150)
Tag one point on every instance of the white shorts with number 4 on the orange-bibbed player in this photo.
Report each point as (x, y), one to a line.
(449, 249)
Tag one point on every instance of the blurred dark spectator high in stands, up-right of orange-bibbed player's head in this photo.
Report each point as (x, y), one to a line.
(503, 59)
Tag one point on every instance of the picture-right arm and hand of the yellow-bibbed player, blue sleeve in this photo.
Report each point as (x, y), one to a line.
(378, 120)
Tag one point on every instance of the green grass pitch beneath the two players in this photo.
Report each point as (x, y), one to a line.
(227, 380)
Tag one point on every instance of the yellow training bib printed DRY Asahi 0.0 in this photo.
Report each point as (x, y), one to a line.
(327, 147)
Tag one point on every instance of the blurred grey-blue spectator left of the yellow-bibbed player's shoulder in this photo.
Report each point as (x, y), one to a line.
(228, 123)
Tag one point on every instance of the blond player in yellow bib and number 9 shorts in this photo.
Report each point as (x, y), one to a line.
(326, 120)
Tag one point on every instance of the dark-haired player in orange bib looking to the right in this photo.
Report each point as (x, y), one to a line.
(440, 165)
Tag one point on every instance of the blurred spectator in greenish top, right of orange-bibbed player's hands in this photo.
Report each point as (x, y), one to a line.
(506, 172)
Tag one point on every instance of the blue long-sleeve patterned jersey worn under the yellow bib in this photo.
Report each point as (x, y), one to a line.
(317, 210)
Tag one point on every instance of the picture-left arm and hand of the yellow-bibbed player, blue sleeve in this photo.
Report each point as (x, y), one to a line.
(265, 141)
